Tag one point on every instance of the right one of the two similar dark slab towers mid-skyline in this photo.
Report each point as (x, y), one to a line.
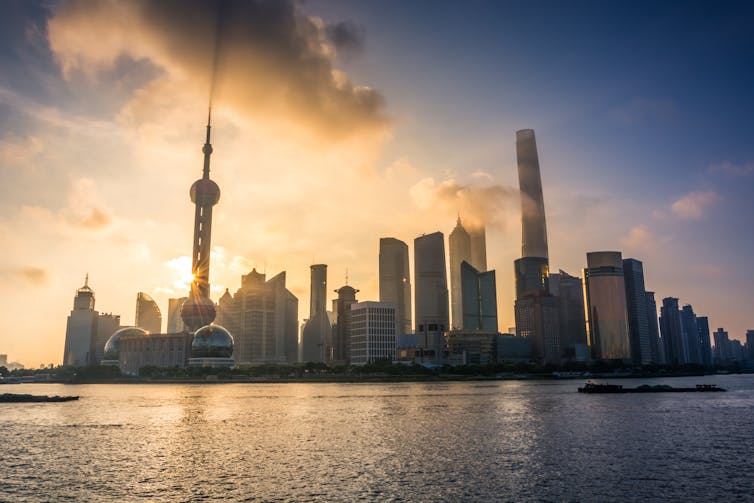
(431, 284)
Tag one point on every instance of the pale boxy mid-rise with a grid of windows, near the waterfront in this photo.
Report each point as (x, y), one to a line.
(372, 332)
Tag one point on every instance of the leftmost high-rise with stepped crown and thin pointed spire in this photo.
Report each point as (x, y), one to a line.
(81, 328)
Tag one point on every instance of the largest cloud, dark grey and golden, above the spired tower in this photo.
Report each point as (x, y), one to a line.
(272, 61)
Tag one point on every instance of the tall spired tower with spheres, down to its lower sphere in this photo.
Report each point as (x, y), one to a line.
(199, 310)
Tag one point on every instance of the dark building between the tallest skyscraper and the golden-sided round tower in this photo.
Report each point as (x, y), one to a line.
(569, 292)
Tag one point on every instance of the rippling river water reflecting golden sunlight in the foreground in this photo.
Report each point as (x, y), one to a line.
(471, 441)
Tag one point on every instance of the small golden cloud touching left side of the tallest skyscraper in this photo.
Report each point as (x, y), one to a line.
(485, 205)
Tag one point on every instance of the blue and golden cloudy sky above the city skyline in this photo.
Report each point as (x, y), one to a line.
(336, 123)
